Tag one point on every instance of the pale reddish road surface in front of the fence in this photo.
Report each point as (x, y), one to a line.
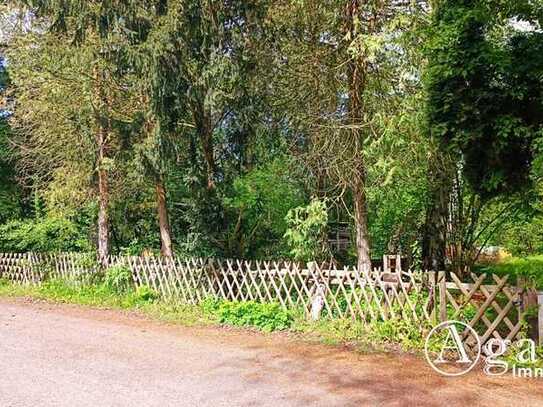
(61, 355)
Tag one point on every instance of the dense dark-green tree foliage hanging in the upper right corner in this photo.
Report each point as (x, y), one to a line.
(485, 91)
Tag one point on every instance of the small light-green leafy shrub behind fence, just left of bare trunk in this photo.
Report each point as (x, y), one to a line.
(306, 232)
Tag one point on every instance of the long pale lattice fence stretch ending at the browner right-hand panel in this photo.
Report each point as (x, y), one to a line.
(345, 292)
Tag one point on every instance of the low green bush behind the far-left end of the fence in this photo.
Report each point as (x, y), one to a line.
(42, 235)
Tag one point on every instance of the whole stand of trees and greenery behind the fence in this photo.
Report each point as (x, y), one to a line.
(306, 129)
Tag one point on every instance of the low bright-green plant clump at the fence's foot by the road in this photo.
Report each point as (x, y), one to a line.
(268, 317)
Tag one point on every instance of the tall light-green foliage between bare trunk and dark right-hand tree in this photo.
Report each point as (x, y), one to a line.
(398, 179)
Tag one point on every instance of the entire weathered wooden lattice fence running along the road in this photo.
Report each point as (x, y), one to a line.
(489, 304)
